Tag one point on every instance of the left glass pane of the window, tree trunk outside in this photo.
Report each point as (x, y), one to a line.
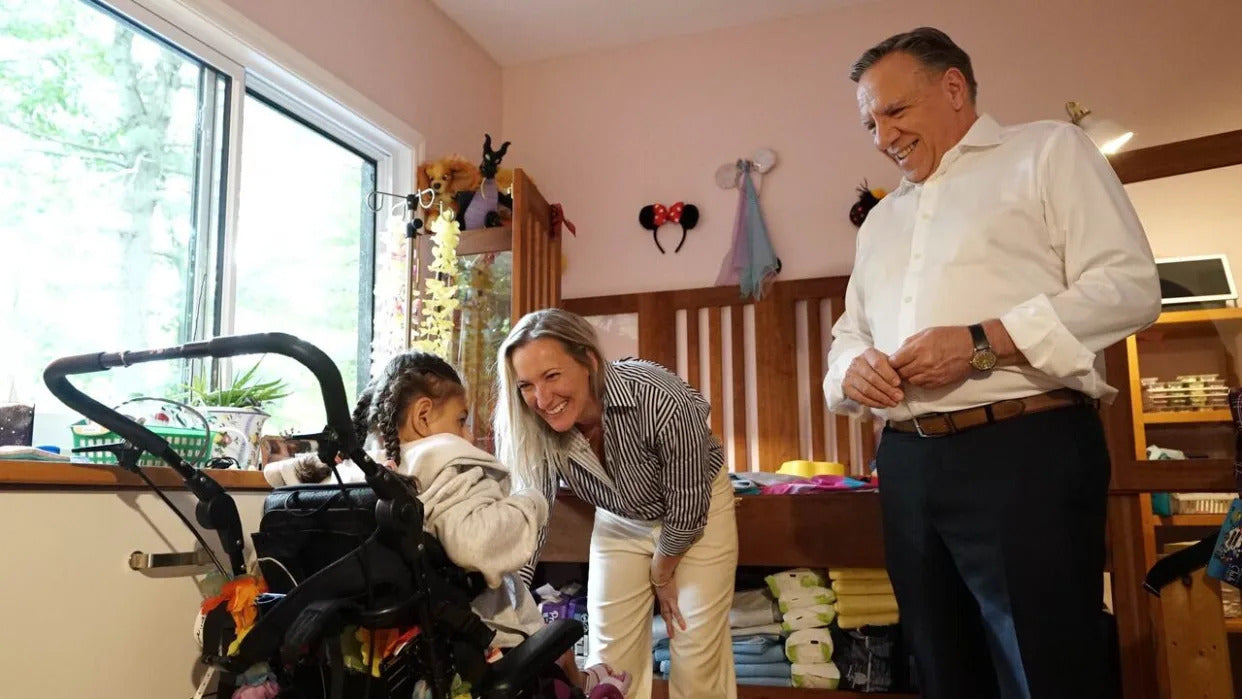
(107, 135)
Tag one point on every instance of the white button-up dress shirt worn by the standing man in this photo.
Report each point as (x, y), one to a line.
(1027, 224)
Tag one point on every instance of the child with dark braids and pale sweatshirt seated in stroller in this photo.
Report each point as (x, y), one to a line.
(415, 409)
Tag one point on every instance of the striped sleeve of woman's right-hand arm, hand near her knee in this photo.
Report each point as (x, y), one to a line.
(684, 444)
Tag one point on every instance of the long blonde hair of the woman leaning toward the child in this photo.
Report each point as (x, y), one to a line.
(524, 441)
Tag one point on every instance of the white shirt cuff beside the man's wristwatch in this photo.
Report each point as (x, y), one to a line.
(1045, 341)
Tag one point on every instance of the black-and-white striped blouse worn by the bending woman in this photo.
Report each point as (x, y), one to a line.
(661, 456)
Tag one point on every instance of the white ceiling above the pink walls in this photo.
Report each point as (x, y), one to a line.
(521, 32)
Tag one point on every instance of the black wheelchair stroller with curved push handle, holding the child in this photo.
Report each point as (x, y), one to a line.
(335, 558)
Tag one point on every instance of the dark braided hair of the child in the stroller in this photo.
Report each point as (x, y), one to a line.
(382, 407)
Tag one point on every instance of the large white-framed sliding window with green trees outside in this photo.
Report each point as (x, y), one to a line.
(157, 188)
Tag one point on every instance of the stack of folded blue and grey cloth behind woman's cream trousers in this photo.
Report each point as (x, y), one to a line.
(758, 652)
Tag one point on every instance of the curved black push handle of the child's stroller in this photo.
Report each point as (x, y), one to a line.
(217, 510)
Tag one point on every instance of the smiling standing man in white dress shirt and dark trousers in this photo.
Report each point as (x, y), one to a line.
(984, 291)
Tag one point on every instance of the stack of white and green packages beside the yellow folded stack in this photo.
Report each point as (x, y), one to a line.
(807, 609)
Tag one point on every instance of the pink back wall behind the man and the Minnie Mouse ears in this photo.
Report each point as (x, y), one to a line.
(609, 132)
